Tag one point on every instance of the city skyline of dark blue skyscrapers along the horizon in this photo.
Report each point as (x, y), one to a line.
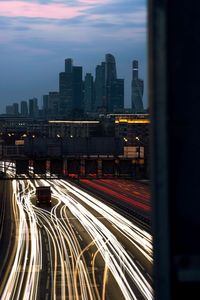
(80, 95)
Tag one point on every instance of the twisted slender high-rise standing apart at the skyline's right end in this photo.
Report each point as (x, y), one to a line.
(137, 90)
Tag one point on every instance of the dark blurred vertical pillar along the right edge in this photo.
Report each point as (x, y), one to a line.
(174, 64)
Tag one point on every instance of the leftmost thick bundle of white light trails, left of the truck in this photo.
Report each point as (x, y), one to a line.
(23, 272)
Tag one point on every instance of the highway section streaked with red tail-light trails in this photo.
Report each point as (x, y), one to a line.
(132, 196)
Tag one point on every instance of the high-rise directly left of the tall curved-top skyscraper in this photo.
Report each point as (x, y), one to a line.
(100, 92)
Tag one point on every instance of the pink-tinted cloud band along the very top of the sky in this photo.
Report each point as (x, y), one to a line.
(66, 10)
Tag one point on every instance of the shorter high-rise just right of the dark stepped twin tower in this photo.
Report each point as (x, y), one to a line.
(88, 92)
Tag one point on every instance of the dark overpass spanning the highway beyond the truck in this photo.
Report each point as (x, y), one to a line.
(94, 157)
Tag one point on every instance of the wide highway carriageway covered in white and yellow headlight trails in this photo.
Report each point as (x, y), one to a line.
(81, 248)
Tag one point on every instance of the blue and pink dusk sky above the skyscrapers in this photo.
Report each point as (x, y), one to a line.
(37, 35)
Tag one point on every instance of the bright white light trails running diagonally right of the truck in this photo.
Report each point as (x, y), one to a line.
(99, 233)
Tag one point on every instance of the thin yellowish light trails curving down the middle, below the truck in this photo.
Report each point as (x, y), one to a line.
(66, 250)
